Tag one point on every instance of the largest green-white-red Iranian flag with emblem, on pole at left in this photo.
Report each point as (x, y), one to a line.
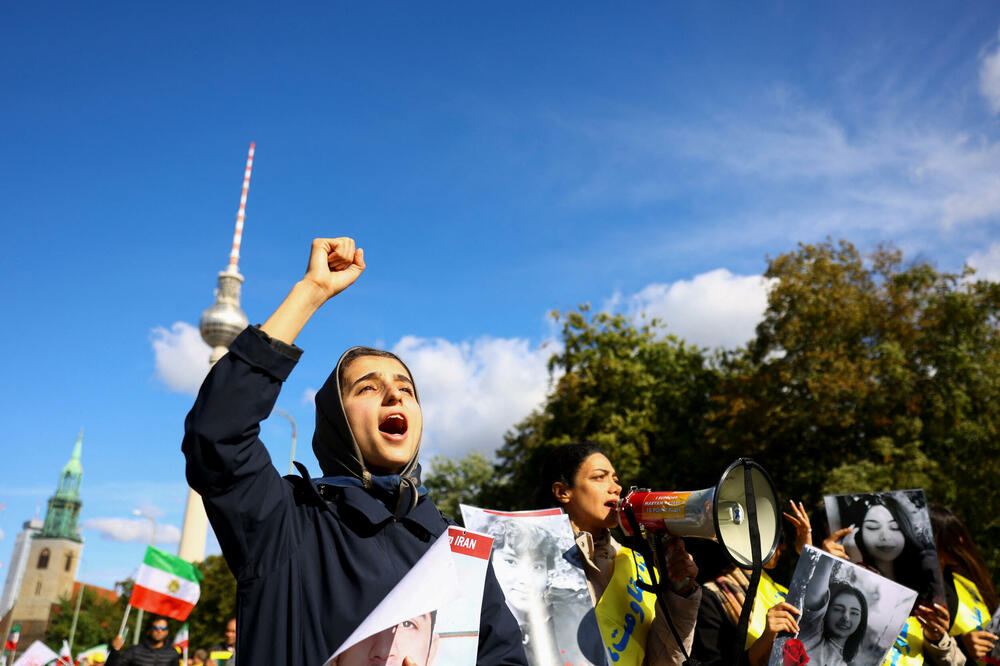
(166, 585)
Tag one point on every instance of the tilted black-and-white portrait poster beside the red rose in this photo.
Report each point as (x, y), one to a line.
(850, 615)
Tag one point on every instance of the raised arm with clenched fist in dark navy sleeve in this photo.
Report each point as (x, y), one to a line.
(245, 497)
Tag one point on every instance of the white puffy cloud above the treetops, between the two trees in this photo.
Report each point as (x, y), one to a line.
(713, 309)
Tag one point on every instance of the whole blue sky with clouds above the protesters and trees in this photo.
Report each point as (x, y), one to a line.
(496, 161)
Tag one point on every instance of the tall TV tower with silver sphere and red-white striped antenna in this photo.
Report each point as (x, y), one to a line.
(220, 324)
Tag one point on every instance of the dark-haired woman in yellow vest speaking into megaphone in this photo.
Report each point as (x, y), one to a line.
(582, 480)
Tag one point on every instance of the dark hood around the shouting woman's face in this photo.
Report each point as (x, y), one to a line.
(333, 441)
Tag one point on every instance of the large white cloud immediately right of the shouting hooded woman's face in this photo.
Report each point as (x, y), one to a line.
(471, 393)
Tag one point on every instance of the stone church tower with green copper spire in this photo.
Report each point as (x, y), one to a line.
(53, 555)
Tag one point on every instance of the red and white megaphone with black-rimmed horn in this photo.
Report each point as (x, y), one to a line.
(719, 513)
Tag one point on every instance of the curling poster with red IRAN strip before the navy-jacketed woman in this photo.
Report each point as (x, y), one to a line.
(432, 614)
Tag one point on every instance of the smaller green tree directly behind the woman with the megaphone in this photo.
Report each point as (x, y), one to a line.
(639, 393)
